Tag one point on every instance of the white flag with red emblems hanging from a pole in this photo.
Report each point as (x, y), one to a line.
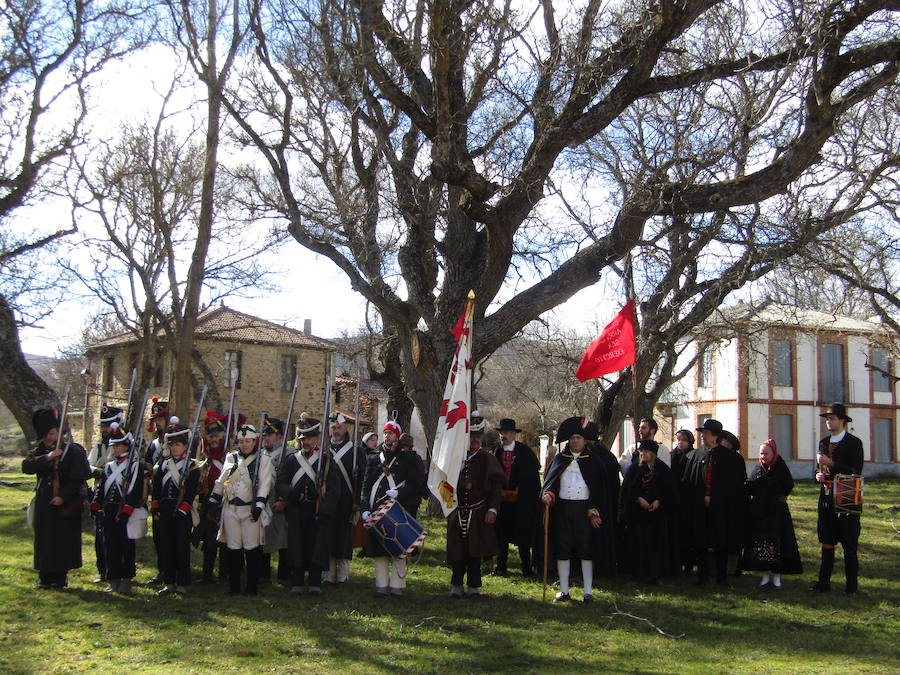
(451, 440)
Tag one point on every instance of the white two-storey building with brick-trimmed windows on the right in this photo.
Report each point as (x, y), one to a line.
(782, 367)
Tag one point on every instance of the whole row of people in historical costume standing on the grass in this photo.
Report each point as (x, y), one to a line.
(308, 501)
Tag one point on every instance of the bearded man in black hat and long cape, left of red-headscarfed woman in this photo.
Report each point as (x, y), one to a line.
(715, 479)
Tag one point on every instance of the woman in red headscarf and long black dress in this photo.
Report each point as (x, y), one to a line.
(772, 544)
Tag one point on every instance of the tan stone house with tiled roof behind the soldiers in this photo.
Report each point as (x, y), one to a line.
(264, 356)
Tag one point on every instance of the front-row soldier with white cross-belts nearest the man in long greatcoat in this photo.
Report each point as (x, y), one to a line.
(119, 493)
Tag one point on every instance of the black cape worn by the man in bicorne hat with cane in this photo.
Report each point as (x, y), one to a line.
(595, 474)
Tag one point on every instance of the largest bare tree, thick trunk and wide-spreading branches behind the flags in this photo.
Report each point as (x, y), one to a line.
(433, 148)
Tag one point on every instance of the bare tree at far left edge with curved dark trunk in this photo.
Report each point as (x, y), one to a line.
(49, 52)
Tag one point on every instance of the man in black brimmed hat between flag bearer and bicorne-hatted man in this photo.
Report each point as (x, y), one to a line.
(517, 520)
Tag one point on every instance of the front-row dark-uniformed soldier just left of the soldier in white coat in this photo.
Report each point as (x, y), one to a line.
(174, 490)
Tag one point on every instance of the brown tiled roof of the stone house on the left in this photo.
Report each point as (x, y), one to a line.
(229, 325)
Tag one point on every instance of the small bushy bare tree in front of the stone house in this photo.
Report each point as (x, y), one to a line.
(138, 201)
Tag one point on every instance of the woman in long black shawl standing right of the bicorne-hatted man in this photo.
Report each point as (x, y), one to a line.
(647, 497)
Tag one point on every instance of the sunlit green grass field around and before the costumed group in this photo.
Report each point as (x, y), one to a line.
(348, 630)
